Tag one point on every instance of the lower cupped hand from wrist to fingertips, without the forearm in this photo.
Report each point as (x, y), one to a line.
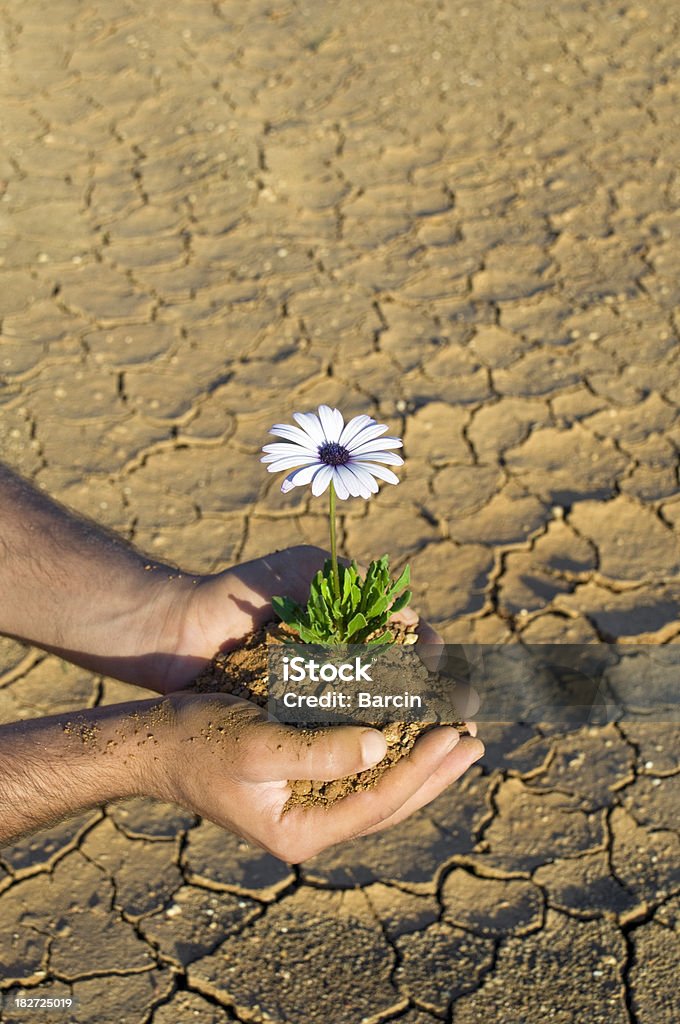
(229, 764)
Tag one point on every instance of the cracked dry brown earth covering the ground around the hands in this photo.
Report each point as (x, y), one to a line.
(462, 220)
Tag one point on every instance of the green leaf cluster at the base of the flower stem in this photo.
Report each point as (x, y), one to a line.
(358, 616)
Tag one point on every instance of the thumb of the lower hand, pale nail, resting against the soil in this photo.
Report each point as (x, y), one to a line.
(270, 752)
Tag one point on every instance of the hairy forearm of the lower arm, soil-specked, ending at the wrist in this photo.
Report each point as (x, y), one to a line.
(52, 769)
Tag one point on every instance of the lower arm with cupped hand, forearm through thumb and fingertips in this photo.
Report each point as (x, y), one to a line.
(218, 756)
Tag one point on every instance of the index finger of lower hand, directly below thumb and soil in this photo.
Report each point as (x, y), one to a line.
(313, 829)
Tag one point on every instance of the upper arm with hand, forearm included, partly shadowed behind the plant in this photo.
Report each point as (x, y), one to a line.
(70, 587)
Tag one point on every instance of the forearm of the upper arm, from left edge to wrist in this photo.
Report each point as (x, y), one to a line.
(73, 588)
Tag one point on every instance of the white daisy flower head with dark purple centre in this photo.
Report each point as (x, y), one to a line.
(323, 450)
